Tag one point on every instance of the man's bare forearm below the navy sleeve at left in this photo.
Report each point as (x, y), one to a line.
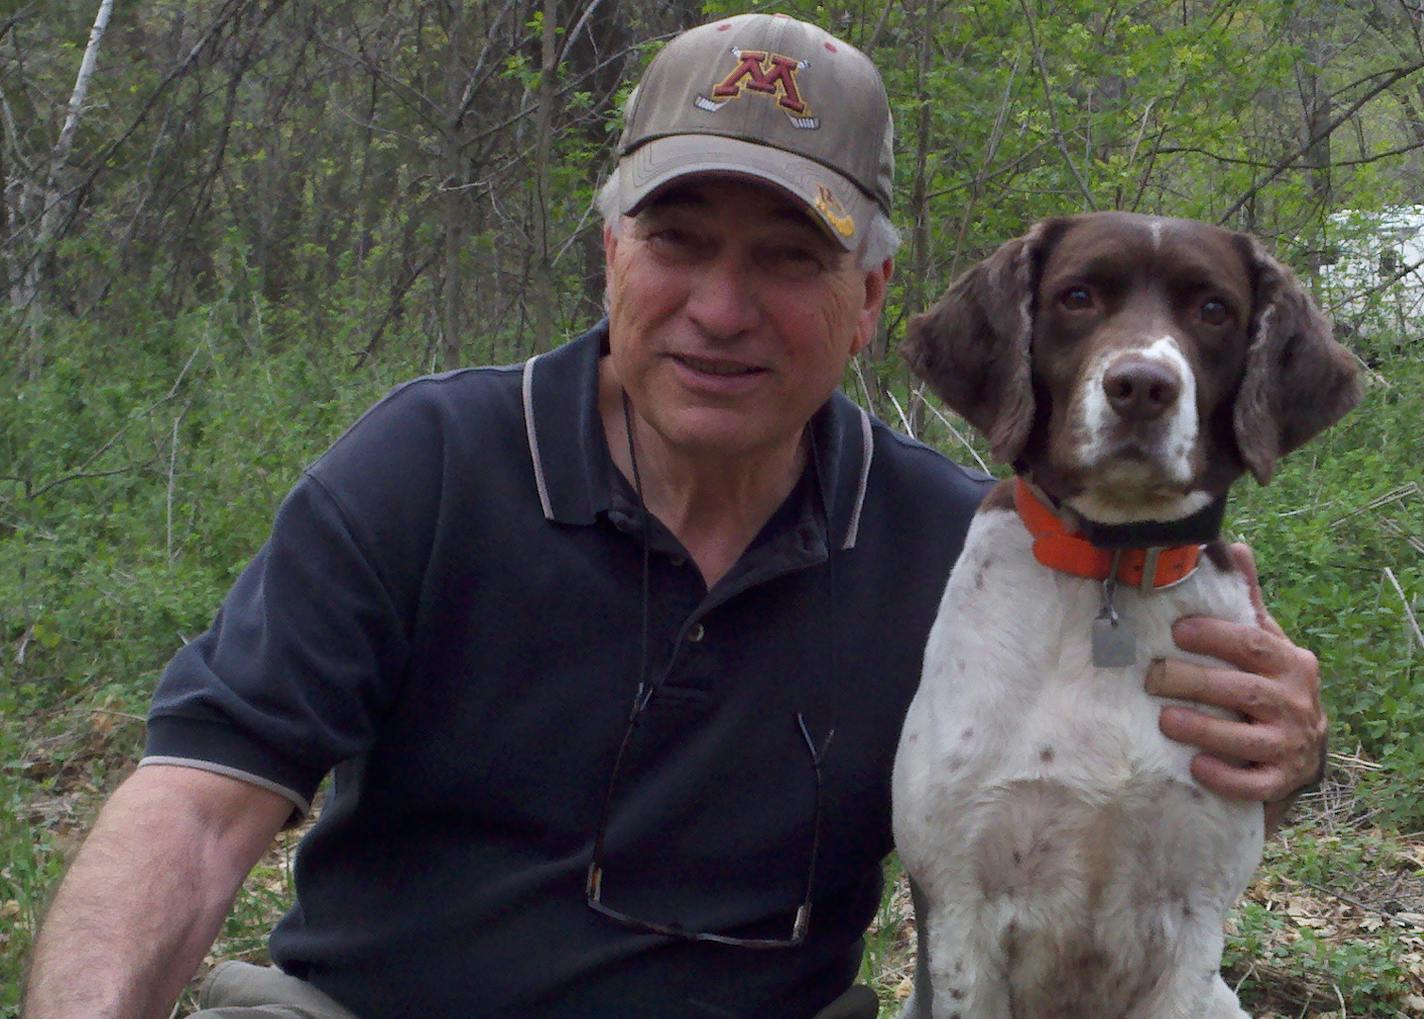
(149, 893)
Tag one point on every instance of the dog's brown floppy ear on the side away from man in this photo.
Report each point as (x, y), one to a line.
(1298, 379)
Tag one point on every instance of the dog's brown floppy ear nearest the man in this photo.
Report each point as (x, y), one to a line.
(973, 347)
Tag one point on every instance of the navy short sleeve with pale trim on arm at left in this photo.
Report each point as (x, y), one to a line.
(305, 655)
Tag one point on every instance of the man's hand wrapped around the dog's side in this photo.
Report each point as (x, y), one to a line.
(1279, 745)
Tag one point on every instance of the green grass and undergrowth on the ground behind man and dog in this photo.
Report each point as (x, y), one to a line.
(102, 579)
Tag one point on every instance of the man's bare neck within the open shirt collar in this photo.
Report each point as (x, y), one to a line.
(714, 506)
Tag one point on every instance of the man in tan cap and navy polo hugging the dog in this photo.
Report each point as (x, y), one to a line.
(609, 651)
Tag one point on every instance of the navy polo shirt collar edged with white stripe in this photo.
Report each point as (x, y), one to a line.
(570, 458)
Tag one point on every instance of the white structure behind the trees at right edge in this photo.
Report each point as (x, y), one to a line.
(1376, 281)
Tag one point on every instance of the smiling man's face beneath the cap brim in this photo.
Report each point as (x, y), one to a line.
(733, 317)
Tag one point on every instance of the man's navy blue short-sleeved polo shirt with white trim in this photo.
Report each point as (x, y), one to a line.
(448, 614)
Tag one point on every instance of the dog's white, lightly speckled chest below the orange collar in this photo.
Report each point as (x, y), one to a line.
(1035, 785)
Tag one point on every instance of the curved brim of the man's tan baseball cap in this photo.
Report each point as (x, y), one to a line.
(837, 204)
